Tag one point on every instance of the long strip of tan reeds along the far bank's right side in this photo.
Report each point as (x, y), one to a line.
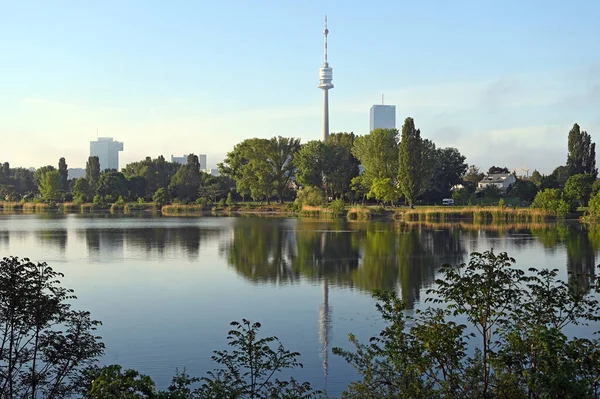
(474, 213)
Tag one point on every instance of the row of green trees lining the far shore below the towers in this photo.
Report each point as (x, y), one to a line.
(386, 165)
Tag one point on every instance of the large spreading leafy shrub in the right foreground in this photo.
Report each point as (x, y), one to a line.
(519, 321)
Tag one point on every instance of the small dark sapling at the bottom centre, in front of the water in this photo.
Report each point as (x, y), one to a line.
(249, 369)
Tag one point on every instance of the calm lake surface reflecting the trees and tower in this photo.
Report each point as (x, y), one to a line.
(167, 288)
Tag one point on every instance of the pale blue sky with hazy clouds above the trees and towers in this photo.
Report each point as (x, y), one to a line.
(502, 81)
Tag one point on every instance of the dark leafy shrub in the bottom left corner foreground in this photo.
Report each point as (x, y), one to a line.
(46, 343)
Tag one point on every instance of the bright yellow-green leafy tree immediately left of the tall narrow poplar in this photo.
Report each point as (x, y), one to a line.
(378, 154)
